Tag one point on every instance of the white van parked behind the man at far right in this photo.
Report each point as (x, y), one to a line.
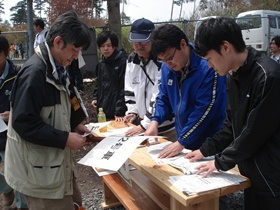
(259, 27)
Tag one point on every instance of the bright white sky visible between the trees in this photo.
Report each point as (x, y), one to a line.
(154, 10)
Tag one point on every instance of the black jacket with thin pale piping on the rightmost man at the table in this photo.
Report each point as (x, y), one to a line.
(250, 136)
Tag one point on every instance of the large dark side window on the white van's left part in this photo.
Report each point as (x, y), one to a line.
(249, 22)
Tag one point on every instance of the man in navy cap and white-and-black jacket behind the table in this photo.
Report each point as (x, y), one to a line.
(143, 72)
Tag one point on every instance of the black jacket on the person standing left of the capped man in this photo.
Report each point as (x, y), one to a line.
(109, 89)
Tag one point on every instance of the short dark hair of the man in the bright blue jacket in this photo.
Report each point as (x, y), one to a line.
(167, 36)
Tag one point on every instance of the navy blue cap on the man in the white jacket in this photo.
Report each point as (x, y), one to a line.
(141, 30)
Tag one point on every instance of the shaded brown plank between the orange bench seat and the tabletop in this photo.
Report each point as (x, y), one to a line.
(157, 194)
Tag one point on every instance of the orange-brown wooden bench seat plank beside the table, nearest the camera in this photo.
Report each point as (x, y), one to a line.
(130, 197)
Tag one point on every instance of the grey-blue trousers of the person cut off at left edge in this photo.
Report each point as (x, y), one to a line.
(5, 188)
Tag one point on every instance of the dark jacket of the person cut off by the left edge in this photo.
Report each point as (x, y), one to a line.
(5, 91)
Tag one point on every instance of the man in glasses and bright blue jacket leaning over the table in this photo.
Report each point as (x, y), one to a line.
(189, 88)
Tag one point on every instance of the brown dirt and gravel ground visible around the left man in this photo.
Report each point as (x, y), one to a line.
(87, 179)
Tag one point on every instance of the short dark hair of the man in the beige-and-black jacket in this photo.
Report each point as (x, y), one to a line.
(71, 29)
